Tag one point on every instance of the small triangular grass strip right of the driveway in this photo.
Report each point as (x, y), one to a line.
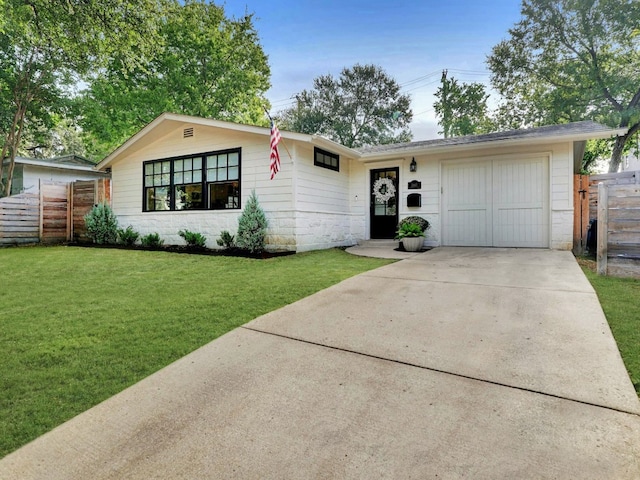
(620, 300)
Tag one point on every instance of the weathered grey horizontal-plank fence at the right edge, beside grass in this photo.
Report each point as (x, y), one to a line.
(618, 251)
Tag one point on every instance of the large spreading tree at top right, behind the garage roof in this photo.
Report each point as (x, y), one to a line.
(568, 60)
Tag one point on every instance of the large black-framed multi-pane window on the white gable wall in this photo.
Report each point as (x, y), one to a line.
(205, 181)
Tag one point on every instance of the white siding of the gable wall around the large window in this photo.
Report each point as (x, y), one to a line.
(275, 196)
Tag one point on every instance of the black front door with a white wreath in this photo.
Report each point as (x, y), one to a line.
(384, 202)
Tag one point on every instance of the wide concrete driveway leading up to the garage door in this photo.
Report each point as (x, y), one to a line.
(455, 363)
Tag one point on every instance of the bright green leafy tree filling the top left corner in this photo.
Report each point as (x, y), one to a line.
(46, 44)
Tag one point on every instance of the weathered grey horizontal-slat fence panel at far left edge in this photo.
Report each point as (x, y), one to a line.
(20, 219)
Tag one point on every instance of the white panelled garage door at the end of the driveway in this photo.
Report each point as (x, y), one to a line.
(501, 203)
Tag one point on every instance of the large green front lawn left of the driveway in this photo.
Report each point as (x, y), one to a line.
(80, 324)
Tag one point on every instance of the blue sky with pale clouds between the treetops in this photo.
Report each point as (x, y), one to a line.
(412, 40)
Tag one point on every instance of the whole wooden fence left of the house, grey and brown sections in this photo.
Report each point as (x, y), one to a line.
(55, 215)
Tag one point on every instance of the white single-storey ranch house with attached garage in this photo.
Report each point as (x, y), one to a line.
(511, 189)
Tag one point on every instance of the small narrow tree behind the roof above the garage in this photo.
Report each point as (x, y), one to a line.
(462, 108)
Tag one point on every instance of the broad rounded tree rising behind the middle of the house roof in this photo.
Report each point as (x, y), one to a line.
(363, 106)
